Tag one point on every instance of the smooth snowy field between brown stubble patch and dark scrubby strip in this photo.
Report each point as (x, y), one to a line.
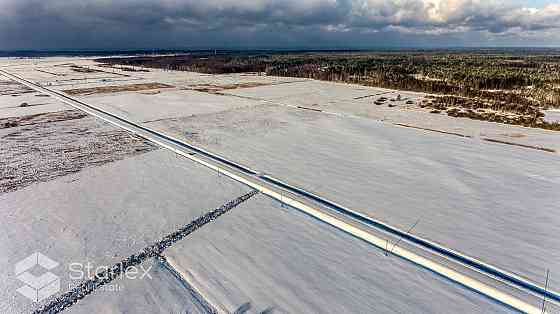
(103, 214)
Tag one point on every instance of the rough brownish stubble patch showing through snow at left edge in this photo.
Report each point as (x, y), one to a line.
(47, 146)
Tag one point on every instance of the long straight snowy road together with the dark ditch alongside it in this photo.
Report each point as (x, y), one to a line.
(252, 179)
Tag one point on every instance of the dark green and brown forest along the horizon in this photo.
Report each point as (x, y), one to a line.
(521, 79)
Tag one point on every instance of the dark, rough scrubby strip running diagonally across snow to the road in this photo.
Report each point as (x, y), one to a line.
(153, 251)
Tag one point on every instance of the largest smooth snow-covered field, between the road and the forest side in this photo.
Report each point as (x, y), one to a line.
(476, 197)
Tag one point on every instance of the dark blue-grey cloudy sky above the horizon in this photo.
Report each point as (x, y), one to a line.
(107, 24)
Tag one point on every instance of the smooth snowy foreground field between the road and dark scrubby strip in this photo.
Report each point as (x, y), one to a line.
(280, 260)
